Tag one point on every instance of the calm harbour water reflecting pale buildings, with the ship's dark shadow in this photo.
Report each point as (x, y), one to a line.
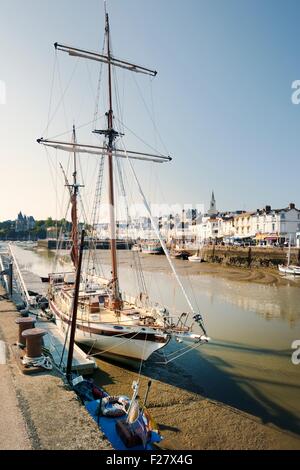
(248, 363)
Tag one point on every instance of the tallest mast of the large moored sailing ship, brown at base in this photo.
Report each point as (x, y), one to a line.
(111, 134)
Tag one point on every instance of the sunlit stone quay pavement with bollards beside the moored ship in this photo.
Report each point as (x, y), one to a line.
(39, 411)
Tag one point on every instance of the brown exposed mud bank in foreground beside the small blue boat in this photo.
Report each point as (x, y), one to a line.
(189, 421)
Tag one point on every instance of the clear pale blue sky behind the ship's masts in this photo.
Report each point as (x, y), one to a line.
(221, 99)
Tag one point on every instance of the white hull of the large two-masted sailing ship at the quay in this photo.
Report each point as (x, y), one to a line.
(114, 339)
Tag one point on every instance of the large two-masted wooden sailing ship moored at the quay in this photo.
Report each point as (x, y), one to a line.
(109, 320)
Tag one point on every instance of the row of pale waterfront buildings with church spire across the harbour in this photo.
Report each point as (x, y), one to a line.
(266, 226)
